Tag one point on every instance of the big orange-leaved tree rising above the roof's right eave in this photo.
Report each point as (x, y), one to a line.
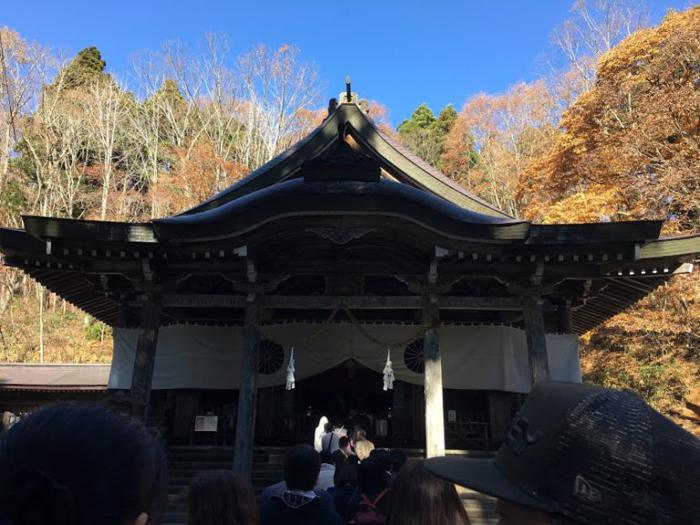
(636, 133)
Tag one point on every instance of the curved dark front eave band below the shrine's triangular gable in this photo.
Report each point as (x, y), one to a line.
(297, 197)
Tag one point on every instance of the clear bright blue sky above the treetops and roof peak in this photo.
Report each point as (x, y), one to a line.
(401, 53)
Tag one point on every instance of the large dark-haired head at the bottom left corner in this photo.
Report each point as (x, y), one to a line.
(80, 463)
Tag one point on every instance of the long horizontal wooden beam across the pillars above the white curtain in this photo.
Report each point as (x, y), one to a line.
(295, 302)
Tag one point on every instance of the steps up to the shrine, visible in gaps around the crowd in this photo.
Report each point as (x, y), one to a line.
(185, 462)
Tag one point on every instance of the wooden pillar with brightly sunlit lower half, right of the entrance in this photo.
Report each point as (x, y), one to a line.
(434, 411)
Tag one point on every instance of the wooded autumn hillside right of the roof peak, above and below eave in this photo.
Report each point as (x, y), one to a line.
(614, 136)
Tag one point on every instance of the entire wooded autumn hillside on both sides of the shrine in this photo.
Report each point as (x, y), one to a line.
(611, 131)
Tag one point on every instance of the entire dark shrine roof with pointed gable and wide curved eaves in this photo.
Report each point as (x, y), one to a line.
(393, 213)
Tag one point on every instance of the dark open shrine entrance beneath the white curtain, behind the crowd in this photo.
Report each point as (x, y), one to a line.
(352, 395)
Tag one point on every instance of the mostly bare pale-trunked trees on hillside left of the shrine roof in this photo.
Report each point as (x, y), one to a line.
(76, 142)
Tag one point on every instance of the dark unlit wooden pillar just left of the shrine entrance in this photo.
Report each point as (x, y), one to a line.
(248, 391)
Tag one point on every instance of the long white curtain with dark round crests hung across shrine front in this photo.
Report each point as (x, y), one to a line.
(473, 357)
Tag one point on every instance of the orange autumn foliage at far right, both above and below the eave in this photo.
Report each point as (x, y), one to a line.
(629, 148)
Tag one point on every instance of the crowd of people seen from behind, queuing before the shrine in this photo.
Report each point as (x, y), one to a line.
(575, 454)
